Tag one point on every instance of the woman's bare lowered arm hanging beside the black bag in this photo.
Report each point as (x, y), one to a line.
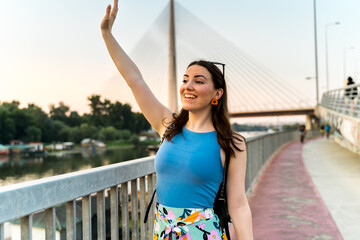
(238, 205)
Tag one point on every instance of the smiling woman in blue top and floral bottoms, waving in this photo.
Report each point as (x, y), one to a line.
(190, 161)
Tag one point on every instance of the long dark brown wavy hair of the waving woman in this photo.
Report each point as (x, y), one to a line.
(219, 114)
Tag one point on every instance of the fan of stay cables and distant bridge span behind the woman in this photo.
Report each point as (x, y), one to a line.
(253, 90)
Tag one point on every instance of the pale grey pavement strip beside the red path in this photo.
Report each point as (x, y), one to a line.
(335, 172)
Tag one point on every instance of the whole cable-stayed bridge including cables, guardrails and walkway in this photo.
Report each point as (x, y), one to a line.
(285, 202)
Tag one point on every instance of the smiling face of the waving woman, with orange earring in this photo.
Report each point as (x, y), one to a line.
(197, 89)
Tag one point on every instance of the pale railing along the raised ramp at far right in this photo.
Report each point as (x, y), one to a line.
(344, 100)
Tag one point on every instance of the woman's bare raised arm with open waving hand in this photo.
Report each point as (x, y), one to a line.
(150, 106)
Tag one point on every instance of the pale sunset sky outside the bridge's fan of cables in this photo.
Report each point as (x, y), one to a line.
(52, 51)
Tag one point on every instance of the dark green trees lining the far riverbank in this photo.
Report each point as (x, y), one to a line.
(107, 121)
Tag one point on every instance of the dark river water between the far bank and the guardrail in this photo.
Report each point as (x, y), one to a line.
(20, 168)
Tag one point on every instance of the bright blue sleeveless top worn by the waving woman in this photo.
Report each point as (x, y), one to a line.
(189, 170)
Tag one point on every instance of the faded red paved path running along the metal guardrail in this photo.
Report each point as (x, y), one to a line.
(285, 203)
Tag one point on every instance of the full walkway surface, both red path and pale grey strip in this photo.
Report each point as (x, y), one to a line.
(308, 191)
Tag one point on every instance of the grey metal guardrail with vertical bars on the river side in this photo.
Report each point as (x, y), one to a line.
(114, 194)
